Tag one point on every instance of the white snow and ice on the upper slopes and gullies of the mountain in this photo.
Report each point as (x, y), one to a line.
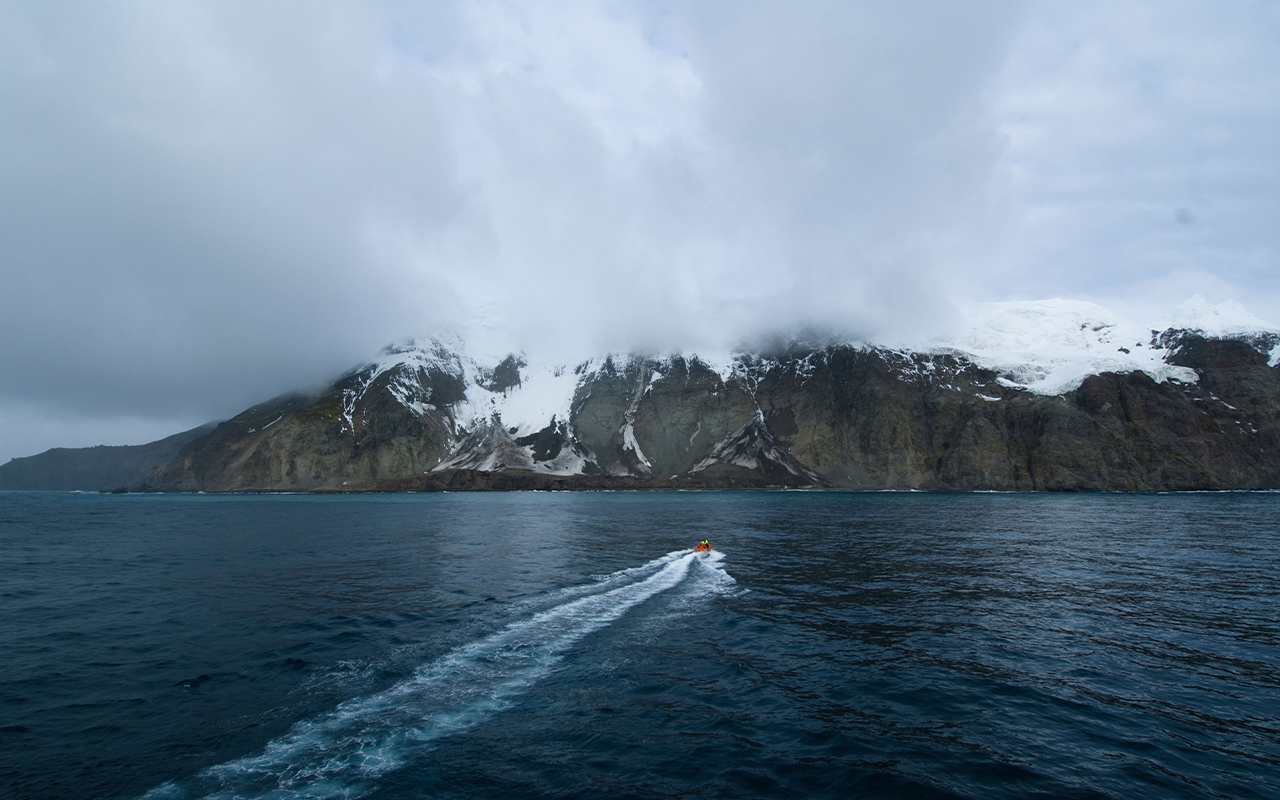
(1045, 348)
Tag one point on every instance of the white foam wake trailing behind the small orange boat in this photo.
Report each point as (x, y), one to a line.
(342, 753)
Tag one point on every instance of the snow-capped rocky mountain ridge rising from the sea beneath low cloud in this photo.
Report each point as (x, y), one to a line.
(1016, 400)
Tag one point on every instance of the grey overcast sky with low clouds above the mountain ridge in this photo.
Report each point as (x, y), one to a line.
(208, 204)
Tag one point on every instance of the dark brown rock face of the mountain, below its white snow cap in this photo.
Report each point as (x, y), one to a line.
(819, 417)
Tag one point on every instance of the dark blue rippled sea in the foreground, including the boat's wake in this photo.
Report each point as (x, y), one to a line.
(569, 646)
